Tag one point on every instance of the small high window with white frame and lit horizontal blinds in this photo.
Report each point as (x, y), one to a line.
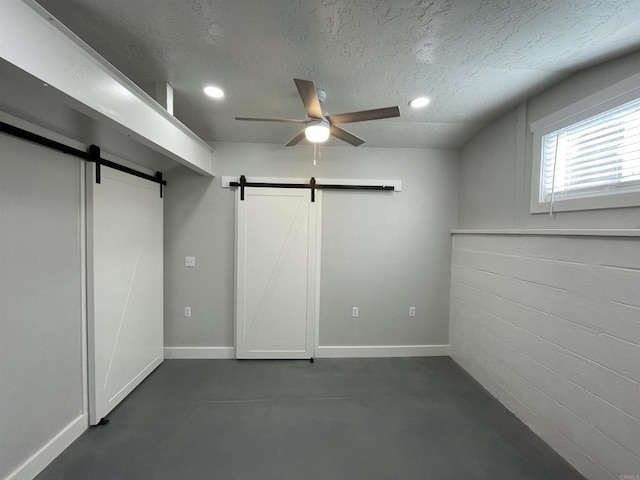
(589, 159)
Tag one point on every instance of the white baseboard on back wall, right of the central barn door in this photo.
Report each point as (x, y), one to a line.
(382, 351)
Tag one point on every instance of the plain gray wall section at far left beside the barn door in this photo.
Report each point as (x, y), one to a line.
(41, 390)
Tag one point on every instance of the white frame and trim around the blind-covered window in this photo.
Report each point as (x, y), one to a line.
(611, 97)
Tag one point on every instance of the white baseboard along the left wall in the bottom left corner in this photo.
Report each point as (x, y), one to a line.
(43, 457)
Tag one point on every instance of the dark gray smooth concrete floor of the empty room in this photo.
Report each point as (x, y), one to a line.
(403, 418)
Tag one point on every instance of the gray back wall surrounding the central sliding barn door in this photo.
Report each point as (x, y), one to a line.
(380, 251)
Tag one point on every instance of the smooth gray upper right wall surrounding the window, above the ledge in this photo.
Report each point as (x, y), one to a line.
(495, 175)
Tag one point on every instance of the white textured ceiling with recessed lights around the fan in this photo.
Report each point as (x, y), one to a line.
(473, 58)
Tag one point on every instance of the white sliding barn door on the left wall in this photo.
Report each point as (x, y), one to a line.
(124, 286)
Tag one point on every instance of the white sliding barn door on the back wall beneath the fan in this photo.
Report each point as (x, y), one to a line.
(275, 273)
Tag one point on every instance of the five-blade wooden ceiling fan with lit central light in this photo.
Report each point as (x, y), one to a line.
(319, 125)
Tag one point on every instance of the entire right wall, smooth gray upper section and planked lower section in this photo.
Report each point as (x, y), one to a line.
(550, 324)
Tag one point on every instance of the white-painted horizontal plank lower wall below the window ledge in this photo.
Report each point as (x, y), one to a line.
(550, 325)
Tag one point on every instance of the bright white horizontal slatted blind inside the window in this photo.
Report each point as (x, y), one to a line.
(599, 155)
